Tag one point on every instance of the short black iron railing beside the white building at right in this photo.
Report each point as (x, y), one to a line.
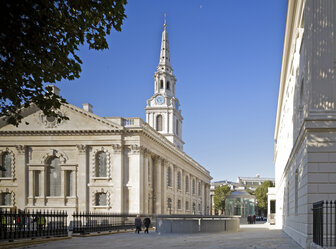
(324, 223)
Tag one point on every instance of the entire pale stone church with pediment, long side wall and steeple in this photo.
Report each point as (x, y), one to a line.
(104, 164)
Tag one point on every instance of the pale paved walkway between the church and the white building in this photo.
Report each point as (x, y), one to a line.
(257, 236)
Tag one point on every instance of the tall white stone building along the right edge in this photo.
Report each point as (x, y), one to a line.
(305, 132)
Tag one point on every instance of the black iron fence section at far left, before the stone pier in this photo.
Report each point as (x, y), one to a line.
(18, 225)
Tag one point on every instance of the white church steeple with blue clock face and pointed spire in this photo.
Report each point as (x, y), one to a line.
(163, 108)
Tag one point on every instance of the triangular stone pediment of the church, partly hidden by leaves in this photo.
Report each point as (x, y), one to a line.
(79, 120)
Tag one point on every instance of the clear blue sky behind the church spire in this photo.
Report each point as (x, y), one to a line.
(226, 56)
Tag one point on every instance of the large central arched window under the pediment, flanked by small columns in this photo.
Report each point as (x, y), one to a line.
(54, 180)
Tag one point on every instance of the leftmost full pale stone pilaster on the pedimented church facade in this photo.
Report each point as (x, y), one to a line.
(21, 174)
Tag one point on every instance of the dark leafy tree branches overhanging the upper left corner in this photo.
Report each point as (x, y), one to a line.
(39, 41)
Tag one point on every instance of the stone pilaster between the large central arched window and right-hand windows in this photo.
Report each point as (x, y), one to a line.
(83, 177)
